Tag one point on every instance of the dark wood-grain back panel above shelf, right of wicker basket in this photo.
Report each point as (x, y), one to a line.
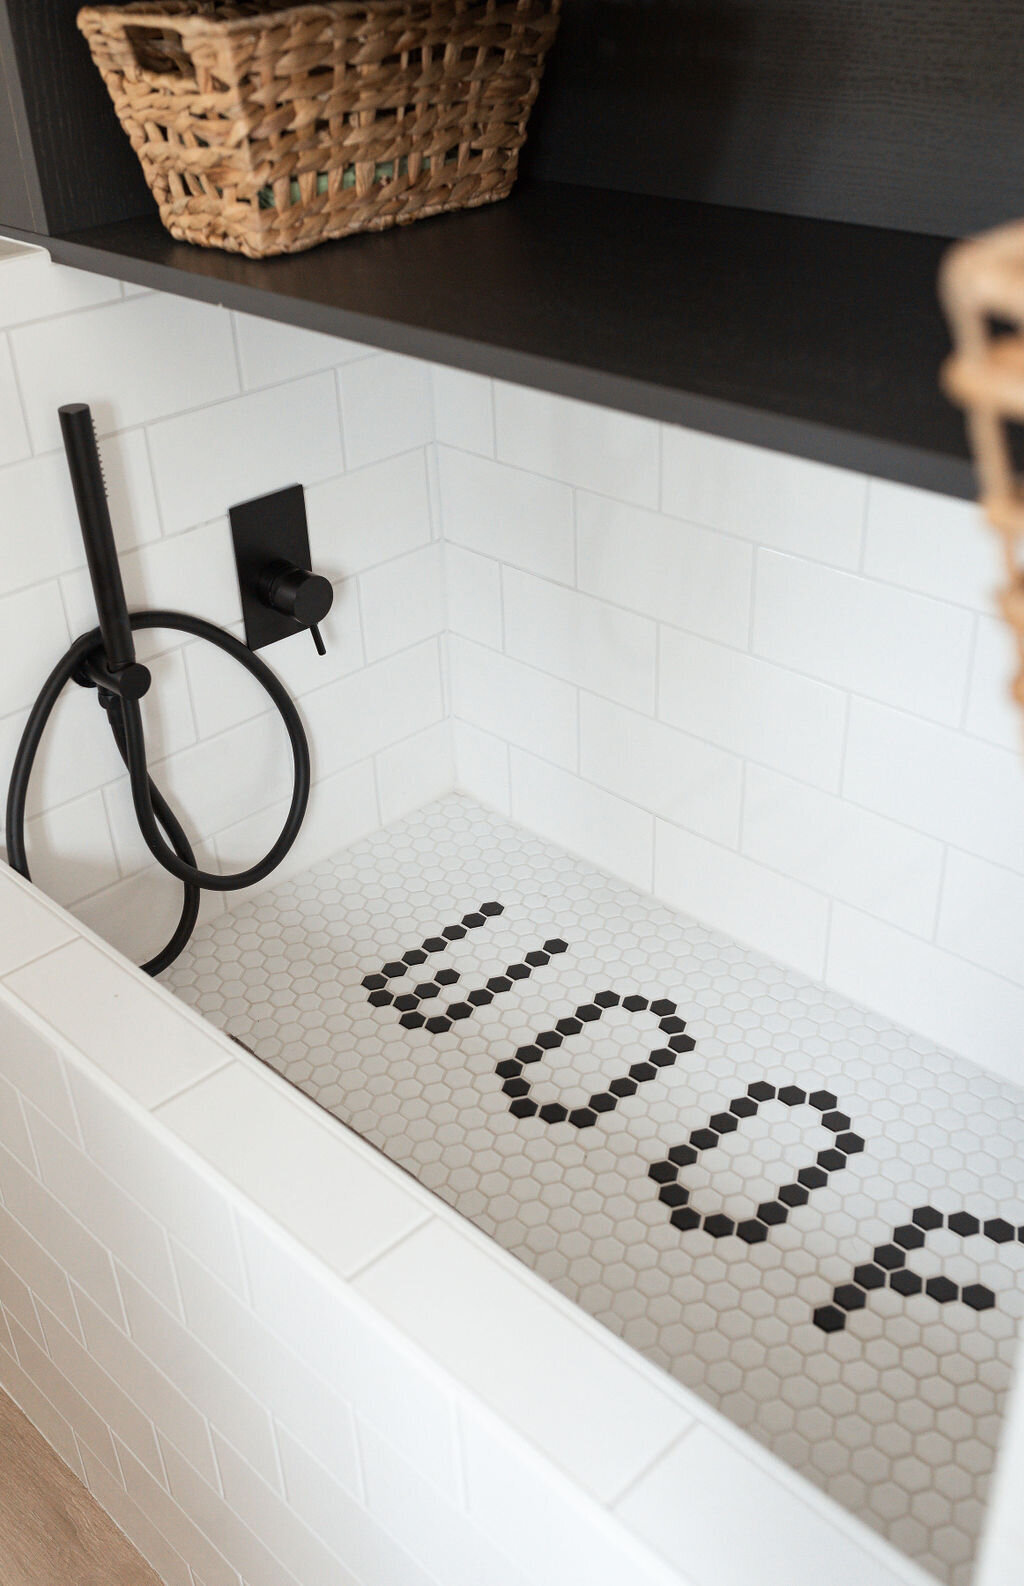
(896, 113)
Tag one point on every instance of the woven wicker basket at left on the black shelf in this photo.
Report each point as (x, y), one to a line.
(267, 128)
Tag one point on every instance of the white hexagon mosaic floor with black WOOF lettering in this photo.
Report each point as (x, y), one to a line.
(808, 1216)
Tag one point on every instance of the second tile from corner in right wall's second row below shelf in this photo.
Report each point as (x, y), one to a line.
(687, 577)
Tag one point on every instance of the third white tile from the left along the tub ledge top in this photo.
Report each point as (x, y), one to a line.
(294, 1163)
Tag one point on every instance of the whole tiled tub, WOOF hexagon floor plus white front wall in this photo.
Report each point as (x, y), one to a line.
(285, 1355)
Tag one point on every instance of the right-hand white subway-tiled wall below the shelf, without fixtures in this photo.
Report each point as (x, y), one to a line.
(795, 670)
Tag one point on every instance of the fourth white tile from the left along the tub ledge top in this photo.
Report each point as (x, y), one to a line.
(552, 1381)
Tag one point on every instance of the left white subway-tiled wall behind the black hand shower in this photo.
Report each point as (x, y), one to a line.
(197, 410)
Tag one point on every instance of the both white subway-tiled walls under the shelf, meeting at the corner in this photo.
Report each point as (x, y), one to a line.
(770, 689)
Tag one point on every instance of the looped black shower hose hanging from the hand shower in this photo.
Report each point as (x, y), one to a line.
(151, 808)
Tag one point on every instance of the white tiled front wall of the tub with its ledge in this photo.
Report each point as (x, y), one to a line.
(278, 1358)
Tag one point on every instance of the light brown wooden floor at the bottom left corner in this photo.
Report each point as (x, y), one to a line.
(52, 1530)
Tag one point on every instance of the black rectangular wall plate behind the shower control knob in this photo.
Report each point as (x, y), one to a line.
(269, 531)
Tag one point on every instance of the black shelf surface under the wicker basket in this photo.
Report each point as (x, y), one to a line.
(809, 337)
